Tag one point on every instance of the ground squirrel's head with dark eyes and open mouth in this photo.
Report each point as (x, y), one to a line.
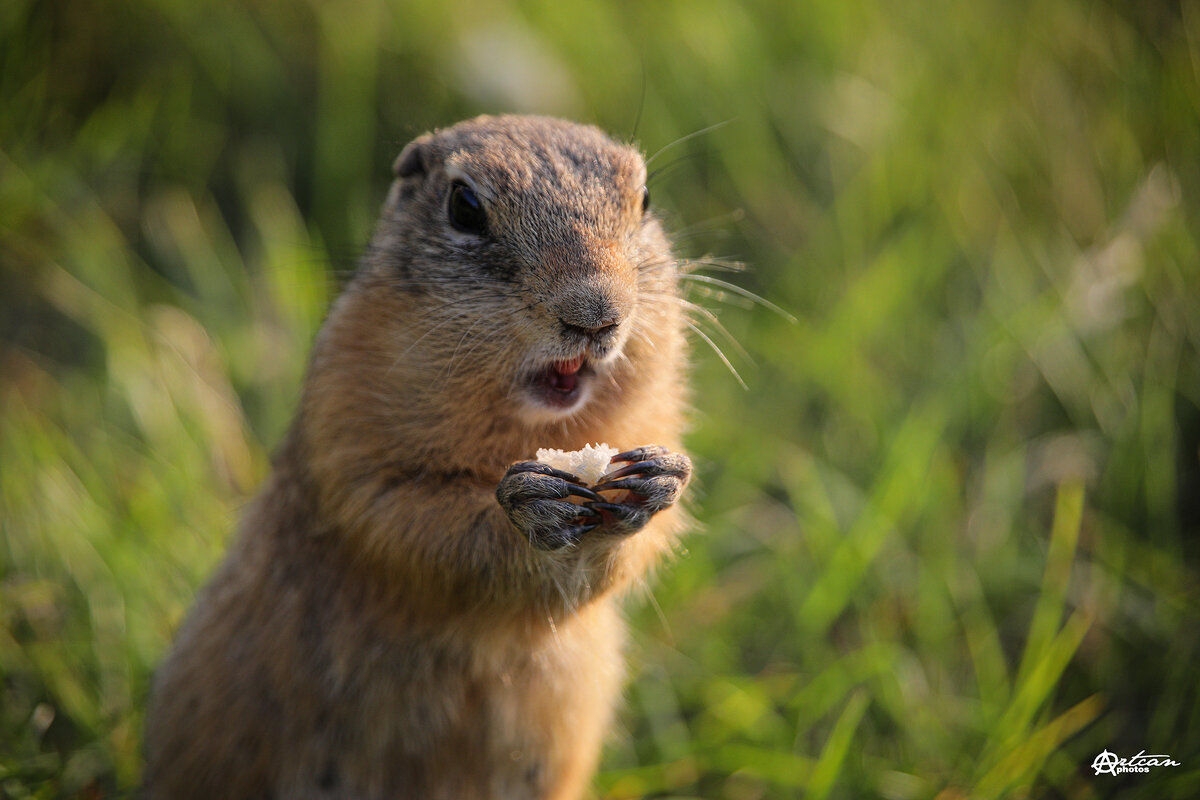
(518, 275)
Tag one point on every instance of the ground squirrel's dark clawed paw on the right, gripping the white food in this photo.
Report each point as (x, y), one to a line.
(652, 482)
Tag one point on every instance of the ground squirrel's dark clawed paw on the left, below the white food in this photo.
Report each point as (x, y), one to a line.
(535, 497)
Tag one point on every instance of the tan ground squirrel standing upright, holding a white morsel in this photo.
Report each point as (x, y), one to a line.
(412, 609)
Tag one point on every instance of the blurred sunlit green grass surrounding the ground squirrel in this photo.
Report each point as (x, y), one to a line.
(949, 539)
